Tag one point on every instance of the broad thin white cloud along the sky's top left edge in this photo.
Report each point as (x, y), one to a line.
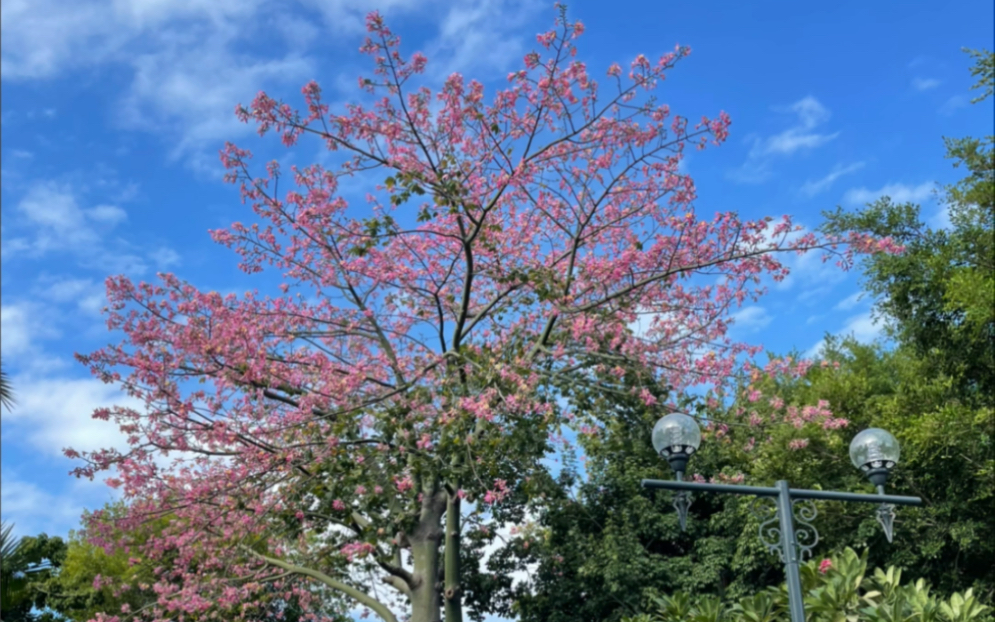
(176, 49)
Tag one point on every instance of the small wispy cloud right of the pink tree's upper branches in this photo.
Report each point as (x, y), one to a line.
(801, 136)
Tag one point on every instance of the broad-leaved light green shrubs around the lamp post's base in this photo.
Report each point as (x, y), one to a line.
(843, 592)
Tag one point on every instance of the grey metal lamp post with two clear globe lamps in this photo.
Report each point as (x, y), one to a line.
(676, 437)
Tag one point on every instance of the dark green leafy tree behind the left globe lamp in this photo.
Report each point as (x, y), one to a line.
(596, 554)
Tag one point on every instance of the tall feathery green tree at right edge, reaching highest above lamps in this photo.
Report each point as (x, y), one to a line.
(940, 293)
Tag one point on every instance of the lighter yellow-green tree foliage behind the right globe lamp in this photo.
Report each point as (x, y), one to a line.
(947, 459)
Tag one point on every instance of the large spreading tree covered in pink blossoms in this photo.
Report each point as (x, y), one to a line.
(357, 437)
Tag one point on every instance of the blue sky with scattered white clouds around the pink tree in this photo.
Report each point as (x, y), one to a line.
(113, 113)
